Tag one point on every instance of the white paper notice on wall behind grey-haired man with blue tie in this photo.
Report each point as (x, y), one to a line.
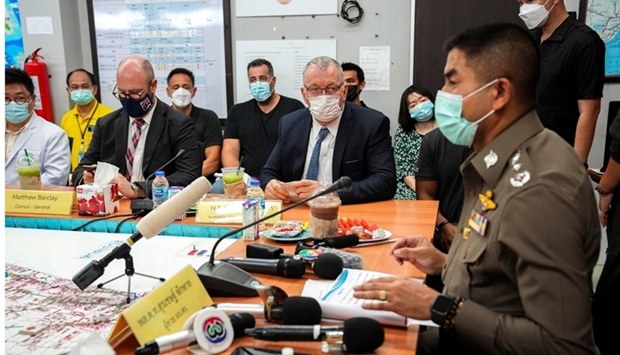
(288, 59)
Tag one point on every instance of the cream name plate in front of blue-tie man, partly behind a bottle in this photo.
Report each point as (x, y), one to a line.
(230, 211)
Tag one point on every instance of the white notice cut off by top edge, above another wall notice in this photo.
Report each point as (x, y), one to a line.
(255, 8)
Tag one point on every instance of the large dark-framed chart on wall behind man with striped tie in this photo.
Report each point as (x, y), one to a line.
(191, 34)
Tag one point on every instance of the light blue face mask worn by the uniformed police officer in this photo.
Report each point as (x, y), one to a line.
(448, 110)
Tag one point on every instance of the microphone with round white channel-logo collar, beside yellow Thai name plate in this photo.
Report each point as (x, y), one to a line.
(209, 329)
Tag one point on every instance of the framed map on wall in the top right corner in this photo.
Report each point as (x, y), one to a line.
(603, 16)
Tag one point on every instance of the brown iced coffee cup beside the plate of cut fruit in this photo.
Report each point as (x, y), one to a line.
(324, 215)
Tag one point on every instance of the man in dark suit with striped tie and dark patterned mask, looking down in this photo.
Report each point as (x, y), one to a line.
(142, 136)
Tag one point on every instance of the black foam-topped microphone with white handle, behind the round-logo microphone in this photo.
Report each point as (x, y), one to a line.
(295, 310)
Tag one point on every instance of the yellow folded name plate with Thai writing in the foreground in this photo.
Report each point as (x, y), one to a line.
(164, 310)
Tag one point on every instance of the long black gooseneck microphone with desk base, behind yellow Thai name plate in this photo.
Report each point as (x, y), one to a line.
(225, 279)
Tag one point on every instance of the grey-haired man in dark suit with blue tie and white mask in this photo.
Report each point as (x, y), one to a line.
(330, 139)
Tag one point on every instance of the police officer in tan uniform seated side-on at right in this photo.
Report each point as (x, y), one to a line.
(518, 274)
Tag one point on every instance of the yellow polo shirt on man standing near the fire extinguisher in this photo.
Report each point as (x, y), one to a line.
(80, 129)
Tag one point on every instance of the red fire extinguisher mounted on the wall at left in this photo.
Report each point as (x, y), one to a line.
(38, 72)
